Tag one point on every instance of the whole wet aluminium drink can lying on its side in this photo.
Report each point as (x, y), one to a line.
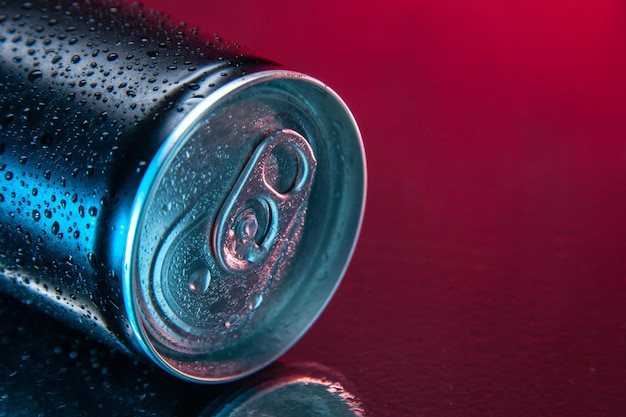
(168, 193)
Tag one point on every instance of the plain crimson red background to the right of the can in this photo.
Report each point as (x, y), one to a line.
(490, 276)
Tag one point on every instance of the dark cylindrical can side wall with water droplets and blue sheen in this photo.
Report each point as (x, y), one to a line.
(88, 99)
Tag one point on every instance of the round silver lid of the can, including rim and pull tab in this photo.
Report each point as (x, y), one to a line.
(243, 226)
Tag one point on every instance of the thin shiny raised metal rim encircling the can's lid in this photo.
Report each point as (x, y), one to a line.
(139, 334)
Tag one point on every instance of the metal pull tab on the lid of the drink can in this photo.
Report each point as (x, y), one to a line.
(265, 202)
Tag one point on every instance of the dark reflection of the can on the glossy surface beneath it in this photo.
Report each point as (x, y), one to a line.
(61, 373)
